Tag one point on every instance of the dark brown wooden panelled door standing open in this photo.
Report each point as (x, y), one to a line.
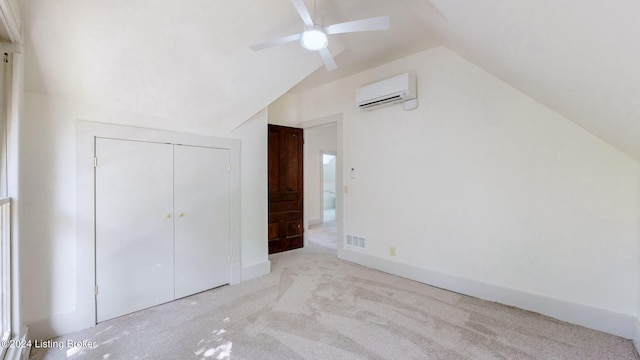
(285, 188)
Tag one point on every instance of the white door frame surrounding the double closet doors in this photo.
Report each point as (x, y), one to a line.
(86, 133)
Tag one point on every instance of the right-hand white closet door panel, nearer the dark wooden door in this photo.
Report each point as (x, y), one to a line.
(201, 193)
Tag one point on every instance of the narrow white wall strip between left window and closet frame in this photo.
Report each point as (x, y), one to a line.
(47, 227)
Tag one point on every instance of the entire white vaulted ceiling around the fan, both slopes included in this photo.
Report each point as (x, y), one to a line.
(190, 60)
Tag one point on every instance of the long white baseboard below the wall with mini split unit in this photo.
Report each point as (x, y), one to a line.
(591, 317)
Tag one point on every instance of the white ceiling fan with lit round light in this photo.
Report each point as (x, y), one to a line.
(314, 37)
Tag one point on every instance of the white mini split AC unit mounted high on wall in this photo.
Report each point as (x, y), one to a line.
(394, 90)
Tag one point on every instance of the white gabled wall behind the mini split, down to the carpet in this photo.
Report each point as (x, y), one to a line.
(485, 191)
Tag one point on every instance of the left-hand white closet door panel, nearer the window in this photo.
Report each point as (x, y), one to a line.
(134, 226)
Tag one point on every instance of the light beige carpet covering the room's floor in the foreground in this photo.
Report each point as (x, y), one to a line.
(314, 306)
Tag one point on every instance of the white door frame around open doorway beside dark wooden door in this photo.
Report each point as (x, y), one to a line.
(340, 185)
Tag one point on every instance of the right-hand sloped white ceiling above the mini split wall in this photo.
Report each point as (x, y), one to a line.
(580, 58)
